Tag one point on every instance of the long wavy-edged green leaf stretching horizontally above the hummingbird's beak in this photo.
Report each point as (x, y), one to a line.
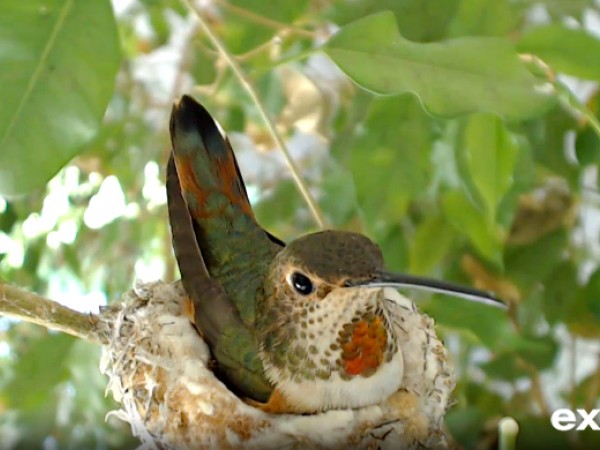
(456, 76)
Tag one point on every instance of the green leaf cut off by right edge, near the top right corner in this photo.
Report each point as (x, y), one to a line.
(572, 51)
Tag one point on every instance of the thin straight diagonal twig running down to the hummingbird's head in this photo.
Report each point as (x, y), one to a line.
(245, 82)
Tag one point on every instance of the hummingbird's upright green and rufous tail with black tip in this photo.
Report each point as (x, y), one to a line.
(235, 249)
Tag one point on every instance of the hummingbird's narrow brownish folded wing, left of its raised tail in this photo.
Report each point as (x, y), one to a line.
(216, 316)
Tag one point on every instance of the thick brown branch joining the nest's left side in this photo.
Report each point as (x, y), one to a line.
(20, 304)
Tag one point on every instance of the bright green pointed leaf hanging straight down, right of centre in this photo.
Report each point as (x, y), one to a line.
(491, 155)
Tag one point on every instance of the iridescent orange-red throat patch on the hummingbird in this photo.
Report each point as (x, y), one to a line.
(363, 349)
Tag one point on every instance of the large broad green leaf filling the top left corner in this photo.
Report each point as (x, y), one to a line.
(59, 59)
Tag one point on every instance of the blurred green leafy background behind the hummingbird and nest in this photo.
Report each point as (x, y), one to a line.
(477, 165)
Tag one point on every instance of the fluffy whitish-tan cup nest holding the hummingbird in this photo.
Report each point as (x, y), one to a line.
(159, 370)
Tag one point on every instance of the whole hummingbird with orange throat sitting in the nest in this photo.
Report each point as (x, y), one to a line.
(298, 328)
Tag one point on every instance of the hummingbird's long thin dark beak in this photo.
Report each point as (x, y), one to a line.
(400, 280)
